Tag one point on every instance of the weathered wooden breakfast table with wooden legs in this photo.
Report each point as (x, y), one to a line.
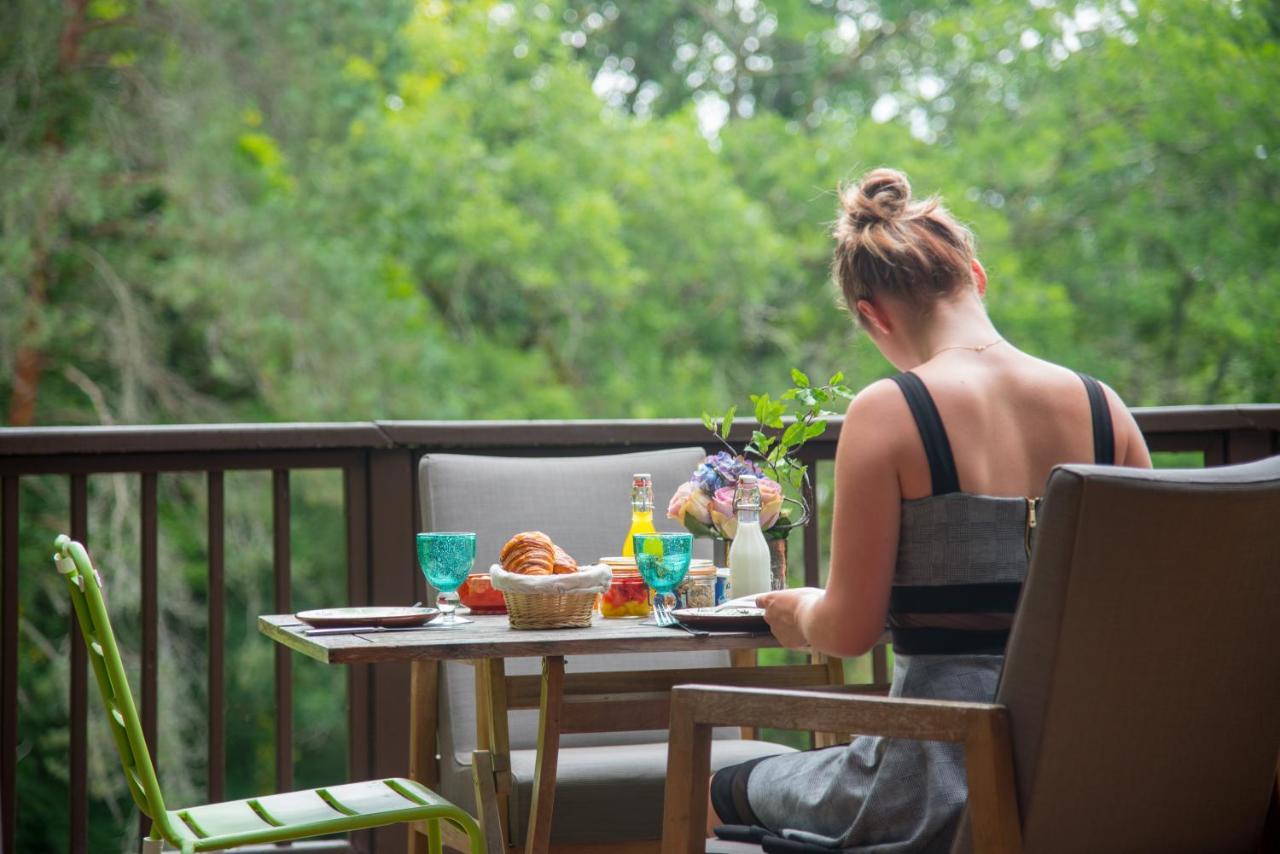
(604, 702)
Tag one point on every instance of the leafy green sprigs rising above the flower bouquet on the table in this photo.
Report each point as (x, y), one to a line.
(784, 426)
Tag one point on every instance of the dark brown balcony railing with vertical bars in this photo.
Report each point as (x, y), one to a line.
(378, 465)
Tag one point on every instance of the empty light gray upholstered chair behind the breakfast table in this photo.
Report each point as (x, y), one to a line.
(609, 786)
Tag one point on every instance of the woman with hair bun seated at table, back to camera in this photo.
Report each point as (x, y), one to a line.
(938, 473)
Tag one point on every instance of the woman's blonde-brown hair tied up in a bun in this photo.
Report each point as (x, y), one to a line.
(886, 244)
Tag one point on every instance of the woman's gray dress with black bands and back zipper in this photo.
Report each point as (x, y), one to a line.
(961, 552)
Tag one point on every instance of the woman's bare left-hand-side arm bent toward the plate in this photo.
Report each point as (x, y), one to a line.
(849, 616)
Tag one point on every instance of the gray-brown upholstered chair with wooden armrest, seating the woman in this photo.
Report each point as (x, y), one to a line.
(1140, 705)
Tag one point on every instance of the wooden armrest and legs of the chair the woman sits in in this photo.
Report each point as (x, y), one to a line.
(982, 728)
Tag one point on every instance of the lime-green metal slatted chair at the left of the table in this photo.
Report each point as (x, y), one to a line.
(275, 819)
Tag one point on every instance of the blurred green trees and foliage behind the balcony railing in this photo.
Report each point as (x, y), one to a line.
(346, 211)
